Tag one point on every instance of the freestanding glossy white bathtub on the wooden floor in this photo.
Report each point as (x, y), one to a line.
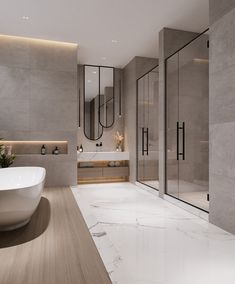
(20, 194)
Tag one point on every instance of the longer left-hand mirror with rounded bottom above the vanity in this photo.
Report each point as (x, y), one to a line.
(92, 128)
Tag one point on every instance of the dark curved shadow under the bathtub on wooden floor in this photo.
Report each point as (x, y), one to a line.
(37, 225)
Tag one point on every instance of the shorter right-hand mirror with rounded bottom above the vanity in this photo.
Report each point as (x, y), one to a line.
(106, 98)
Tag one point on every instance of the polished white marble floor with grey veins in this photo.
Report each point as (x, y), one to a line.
(143, 239)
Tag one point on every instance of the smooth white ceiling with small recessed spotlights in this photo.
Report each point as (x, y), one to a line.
(93, 24)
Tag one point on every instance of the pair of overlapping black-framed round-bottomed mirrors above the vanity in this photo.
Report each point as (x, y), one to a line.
(99, 103)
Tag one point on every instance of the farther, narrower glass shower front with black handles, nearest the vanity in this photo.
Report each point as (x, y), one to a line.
(147, 128)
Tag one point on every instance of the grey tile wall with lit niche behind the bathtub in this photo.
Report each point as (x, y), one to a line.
(38, 93)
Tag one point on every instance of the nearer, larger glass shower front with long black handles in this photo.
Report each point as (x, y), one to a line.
(187, 123)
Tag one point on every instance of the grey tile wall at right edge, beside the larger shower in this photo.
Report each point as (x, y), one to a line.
(222, 117)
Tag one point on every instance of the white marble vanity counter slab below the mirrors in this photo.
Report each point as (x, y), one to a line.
(102, 156)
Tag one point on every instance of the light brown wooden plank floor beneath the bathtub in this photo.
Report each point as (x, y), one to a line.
(54, 248)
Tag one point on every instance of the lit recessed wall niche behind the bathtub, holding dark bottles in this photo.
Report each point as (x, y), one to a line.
(34, 147)
